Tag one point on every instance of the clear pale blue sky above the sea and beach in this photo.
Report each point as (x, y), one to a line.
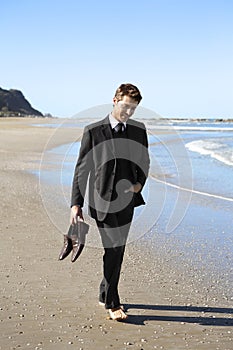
(67, 56)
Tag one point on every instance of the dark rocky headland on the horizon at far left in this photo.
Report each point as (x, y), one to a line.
(14, 104)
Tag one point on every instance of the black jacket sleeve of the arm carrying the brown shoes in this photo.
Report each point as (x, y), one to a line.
(82, 169)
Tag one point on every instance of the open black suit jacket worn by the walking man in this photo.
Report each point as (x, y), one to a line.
(97, 161)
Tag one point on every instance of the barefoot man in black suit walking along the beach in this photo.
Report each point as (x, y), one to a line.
(114, 156)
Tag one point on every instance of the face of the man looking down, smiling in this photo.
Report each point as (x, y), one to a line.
(124, 108)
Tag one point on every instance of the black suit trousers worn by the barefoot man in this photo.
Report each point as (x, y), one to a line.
(114, 232)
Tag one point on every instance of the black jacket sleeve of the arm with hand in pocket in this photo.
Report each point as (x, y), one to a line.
(143, 169)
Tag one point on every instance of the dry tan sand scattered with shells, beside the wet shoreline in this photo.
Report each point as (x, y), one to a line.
(48, 304)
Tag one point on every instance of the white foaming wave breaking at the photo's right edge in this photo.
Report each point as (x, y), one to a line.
(219, 150)
